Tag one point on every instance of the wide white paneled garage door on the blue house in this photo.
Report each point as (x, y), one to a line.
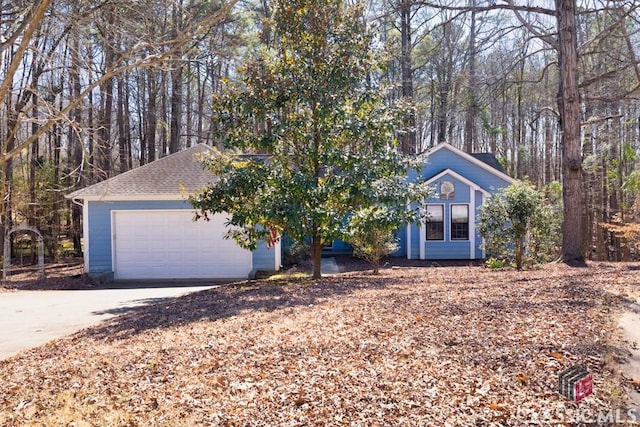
(170, 245)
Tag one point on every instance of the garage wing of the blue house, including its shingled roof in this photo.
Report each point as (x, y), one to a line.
(140, 225)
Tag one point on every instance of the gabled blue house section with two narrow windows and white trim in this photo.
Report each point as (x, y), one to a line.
(461, 182)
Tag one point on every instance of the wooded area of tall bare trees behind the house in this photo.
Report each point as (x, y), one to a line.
(93, 88)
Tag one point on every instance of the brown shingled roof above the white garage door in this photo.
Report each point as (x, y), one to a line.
(164, 177)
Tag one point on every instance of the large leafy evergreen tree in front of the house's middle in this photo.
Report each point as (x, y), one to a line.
(310, 101)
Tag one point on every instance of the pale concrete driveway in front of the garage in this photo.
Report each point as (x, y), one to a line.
(32, 318)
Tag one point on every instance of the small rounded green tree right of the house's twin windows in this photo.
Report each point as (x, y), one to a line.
(518, 220)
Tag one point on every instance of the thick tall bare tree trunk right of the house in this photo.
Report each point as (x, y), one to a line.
(569, 103)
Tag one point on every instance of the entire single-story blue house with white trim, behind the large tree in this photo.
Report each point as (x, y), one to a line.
(139, 225)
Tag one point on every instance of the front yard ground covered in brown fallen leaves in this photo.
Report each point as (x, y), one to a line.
(415, 347)
